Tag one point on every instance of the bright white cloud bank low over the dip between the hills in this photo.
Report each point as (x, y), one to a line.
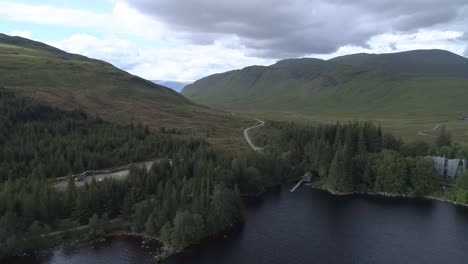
(175, 62)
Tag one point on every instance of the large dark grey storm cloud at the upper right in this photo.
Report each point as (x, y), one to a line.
(284, 28)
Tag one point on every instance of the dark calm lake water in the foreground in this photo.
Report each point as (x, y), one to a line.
(311, 226)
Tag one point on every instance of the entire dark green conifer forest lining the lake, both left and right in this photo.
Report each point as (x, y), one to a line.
(194, 189)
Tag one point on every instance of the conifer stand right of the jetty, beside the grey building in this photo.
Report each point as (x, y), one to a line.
(359, 157)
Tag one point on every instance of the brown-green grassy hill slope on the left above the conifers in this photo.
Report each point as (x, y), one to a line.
(71, 81)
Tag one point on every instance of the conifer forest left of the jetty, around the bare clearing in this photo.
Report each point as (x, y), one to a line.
(193, 191)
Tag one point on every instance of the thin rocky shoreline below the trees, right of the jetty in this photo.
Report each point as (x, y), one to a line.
(388, 195)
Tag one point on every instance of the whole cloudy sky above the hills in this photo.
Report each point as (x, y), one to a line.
(185, 40)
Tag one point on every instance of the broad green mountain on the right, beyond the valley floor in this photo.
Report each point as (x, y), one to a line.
(413, 84)
